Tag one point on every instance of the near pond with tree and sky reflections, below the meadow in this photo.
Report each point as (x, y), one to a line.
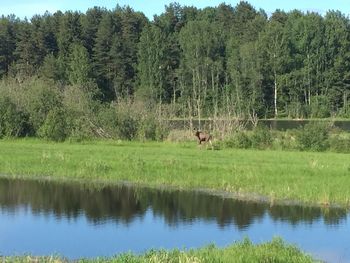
(74, 220)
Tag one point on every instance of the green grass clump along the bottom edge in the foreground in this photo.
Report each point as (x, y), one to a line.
(245, 251)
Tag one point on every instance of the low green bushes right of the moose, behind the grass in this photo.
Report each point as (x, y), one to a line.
(314, 136)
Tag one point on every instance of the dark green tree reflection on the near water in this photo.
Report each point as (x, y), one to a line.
(125, 203)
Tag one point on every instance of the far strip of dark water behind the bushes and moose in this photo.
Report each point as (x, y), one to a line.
(280, 125)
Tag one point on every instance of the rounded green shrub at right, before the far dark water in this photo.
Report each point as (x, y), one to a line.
(313, 136)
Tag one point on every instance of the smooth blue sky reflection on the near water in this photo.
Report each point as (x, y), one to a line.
(23, 232)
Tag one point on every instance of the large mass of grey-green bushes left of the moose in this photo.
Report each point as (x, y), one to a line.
(42, 108)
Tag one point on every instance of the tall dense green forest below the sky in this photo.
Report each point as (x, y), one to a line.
(215, 62)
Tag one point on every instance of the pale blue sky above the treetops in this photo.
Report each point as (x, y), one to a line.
(27, 8)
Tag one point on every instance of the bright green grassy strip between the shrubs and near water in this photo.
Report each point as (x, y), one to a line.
(310, 177)
